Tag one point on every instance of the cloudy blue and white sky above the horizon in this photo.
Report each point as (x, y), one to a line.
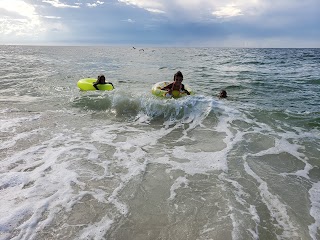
(185, 23)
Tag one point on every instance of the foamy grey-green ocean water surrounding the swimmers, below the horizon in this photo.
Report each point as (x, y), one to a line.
(127, 165)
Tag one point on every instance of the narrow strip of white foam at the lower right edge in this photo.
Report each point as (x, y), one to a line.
(314, 193)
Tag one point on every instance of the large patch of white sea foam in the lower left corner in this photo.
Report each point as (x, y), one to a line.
(39, 184)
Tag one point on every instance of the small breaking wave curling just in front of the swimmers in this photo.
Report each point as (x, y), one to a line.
(146, 107)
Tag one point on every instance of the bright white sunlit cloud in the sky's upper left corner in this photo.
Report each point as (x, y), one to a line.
(22, 23)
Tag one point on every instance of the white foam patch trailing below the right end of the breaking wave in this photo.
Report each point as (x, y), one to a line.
(203, 161)
